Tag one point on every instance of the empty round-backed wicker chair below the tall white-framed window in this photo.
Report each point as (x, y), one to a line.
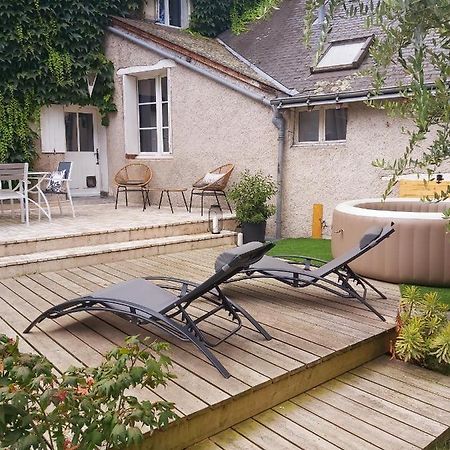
(133, 178)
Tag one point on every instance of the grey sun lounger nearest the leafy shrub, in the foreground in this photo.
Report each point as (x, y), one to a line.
(164, 302)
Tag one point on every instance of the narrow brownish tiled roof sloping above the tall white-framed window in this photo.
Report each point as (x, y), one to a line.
(203, 49)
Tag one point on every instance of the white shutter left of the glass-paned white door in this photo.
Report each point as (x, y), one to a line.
(53, 133)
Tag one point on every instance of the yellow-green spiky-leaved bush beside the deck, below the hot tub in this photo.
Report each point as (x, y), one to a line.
(424, 330)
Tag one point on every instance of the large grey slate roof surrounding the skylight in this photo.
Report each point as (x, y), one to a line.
(276, 46)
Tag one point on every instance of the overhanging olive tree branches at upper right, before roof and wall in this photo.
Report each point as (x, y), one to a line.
(415, 36)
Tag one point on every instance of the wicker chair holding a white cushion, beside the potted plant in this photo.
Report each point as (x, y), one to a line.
(213, 184)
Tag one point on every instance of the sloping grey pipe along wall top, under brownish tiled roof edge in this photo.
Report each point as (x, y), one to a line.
(184, 62)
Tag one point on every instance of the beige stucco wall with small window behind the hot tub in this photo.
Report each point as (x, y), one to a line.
(330, 174)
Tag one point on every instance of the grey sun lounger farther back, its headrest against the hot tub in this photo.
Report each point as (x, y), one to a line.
(334, 276)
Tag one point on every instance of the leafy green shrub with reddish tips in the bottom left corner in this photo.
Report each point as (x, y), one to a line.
(83, 408)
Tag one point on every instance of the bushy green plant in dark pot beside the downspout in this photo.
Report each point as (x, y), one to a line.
(250, 195)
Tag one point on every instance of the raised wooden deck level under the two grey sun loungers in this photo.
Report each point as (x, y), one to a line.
(316, 336)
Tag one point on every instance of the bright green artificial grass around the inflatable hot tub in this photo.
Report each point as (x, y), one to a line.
(321, 248)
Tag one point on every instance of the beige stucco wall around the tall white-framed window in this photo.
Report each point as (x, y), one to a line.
(211, 125)
